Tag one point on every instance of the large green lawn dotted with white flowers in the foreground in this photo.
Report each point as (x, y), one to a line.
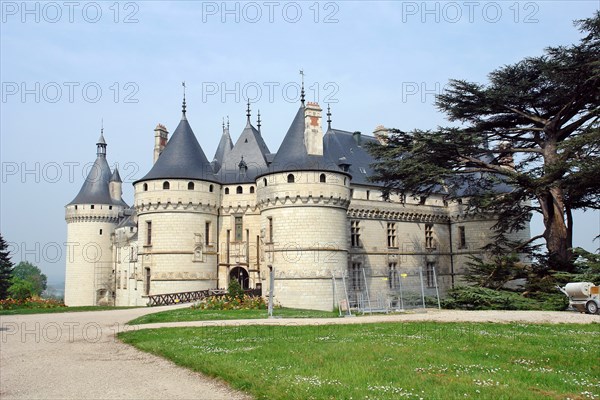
(390, 360)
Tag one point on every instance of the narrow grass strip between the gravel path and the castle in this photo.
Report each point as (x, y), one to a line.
(189, 314)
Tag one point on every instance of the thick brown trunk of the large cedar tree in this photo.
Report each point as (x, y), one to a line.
(556, 233)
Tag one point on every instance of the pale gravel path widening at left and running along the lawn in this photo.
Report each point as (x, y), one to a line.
(76, 355)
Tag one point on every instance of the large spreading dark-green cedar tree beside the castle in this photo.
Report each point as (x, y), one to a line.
(528, 142)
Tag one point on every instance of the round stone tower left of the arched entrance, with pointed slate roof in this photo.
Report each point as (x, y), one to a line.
(177, 208)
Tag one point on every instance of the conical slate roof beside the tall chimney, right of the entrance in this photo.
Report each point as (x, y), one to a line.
(292, 154)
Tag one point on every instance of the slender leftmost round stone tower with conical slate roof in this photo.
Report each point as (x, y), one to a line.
(91, 220)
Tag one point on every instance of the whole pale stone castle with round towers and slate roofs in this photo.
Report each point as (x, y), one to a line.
(297, 218)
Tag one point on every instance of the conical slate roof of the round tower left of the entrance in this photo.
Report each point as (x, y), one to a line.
(182, 158)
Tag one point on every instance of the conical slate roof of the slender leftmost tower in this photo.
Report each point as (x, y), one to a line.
(95, 188)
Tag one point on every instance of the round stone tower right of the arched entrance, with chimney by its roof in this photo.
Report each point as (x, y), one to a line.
(303, 204)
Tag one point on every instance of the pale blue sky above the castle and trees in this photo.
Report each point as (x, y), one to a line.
(69, 68)
